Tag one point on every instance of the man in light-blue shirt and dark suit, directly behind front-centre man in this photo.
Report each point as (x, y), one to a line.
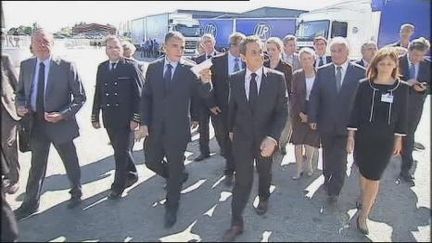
(224, 65)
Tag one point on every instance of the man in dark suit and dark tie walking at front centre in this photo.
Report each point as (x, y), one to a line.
(257, 114)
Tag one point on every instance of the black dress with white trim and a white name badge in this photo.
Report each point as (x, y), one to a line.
(379, 112)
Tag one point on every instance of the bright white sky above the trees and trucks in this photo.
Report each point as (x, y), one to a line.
(53, 15)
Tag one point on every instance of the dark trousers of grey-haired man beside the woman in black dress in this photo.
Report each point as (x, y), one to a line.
(334, 162)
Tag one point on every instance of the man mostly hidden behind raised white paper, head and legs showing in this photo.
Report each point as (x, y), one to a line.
(208, 43)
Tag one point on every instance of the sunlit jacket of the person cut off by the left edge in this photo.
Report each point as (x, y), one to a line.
(9, 84)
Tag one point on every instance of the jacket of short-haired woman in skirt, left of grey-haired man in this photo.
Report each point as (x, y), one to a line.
(298, 97)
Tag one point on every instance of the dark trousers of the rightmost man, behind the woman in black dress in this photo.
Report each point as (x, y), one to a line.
(408, 141)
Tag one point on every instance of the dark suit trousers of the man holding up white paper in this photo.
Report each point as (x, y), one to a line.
(156, 148)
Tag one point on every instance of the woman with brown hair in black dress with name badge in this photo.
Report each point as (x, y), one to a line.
(378, 122)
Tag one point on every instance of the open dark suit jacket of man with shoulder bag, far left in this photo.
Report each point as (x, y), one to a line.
(64, 93)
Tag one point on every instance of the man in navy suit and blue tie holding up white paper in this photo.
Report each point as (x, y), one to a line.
(169, 87)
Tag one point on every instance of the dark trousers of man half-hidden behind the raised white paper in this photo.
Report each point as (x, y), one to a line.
(204, 129)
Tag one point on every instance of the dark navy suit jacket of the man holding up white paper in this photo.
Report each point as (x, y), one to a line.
(168, 113)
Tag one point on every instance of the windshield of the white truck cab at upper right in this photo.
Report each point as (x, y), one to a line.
(310, 29)
